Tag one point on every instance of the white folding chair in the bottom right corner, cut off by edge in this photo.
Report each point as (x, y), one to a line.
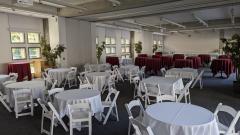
(224, 130)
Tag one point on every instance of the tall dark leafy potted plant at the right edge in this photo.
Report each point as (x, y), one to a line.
(232, 47)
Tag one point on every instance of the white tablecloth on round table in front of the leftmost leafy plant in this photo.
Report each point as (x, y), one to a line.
(59, 74)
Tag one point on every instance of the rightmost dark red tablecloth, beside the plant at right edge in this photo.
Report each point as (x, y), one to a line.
(222, 65)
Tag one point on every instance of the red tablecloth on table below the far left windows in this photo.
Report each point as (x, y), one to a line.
(22, 68)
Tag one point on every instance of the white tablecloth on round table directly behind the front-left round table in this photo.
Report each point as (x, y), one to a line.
(98, 79)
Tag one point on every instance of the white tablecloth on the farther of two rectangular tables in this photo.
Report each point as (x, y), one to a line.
(186, 71)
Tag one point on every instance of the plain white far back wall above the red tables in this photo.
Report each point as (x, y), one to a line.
(198, 42)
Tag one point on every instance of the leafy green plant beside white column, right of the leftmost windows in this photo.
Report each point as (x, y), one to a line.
(51, 54)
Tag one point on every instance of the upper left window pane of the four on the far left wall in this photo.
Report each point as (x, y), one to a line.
(17, 37)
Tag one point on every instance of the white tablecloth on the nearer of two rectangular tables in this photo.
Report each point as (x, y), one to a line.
(166, 84)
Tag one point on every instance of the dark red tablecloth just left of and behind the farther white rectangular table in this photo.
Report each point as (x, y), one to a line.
(154, 64)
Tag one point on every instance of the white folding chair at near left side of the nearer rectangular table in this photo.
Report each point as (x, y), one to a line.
(151, 90)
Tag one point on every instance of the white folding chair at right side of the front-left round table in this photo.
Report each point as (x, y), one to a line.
(110, 104)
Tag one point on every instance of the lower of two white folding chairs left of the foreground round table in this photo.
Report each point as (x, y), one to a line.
(140, 128)
